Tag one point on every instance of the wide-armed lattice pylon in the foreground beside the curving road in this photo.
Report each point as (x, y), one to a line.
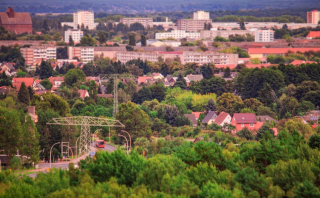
(85, 122)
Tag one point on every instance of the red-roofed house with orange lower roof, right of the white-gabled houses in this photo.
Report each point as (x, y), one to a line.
(245, 120)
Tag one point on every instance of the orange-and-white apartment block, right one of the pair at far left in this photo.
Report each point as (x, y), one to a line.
(86, 54)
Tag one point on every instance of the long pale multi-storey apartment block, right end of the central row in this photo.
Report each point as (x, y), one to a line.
(209, 57)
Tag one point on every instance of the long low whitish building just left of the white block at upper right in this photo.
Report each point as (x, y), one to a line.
(211, 34)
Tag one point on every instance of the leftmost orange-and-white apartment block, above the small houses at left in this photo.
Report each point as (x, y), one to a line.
(37, 53)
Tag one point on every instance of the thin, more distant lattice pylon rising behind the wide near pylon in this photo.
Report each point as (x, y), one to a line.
(115, 87)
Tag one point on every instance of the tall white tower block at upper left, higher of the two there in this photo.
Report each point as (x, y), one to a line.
(83, 17)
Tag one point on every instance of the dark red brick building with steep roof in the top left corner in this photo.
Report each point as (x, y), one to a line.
(16, 22)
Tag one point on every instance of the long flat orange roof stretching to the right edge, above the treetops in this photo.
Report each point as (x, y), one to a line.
(279, 50)
